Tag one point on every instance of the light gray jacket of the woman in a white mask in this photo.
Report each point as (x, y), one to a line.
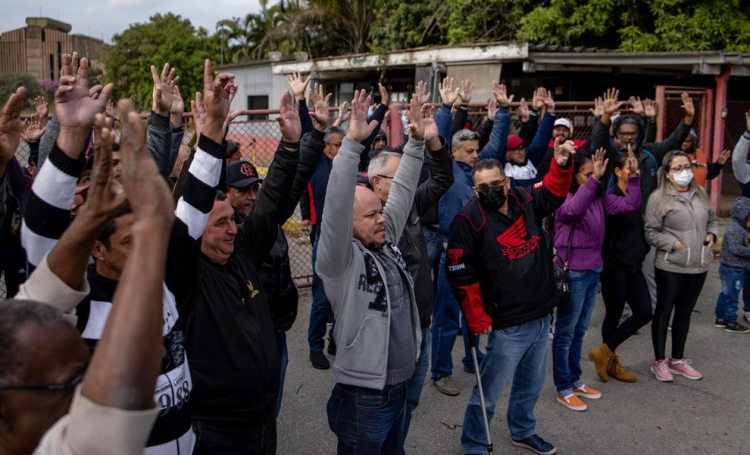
(686, 221)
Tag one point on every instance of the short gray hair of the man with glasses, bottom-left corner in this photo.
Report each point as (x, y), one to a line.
(13, 315)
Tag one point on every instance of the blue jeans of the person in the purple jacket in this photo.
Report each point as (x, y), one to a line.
(570, 327)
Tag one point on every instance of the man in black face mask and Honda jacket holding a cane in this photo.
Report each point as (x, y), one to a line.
(500, 270)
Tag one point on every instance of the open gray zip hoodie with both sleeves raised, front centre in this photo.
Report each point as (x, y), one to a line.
(352, 274)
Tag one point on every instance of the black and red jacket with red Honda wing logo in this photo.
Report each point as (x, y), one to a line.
(499, 266)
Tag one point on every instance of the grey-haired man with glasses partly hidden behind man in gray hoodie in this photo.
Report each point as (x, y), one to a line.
(412, 244)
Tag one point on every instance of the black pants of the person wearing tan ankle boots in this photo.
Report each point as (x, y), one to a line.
(619, 286)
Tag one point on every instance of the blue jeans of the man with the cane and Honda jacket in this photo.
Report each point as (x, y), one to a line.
(518, 353)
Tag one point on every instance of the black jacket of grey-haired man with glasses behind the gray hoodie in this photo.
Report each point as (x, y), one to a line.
(412, 243)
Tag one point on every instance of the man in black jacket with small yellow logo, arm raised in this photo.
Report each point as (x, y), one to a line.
(231, 338)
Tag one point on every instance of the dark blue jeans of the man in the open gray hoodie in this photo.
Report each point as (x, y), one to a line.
(367, 421)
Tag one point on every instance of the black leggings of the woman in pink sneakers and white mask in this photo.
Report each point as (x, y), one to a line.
(678, 291)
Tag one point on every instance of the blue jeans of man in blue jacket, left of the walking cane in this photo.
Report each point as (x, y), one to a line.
(447, 320)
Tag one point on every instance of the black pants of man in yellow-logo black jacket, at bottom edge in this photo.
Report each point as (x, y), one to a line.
(226, 437)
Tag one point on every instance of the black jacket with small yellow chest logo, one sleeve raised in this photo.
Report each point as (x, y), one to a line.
(231, 340)
